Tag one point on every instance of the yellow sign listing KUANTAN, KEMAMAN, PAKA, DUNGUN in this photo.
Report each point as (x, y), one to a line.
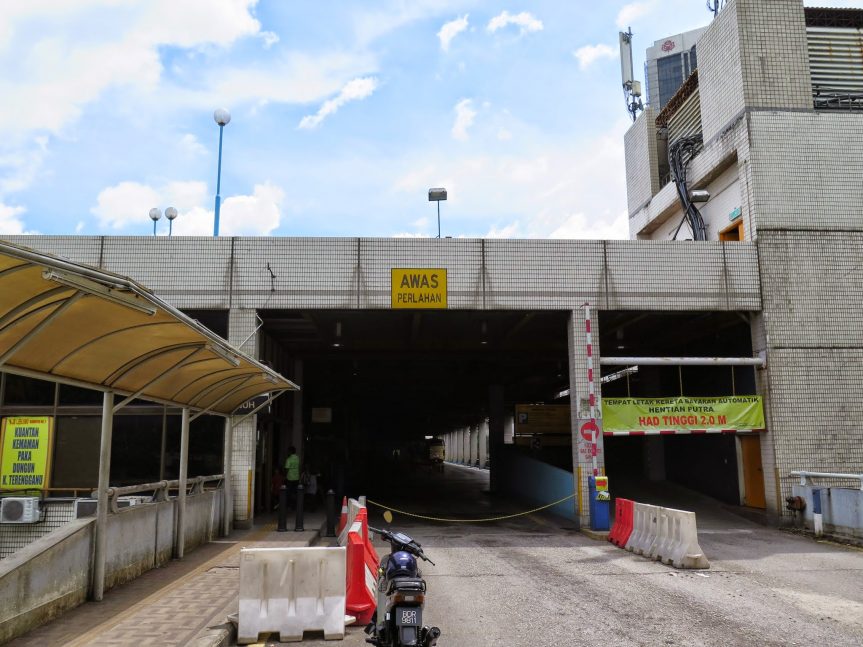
(25, 463)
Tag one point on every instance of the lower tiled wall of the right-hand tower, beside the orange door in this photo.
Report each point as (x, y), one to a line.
(813, 319)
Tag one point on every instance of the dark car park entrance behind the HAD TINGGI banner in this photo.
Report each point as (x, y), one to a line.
(663, 467)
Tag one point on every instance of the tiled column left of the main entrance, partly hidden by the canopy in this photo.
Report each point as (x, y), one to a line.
(241, 326)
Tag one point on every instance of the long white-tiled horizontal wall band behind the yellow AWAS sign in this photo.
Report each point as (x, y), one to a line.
(482, 274)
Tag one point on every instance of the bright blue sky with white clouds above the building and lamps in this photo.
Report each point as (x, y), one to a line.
(343, 115)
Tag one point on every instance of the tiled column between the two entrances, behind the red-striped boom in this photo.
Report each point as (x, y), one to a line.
(580, 405)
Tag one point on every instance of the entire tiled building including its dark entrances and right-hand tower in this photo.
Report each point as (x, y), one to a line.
(783, 174)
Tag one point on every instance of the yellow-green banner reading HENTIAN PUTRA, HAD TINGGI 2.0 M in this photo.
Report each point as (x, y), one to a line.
(733, 412)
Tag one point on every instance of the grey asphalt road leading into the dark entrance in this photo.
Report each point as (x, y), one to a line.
(536, 582)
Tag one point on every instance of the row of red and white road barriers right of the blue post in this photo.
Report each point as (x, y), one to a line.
(664, 534)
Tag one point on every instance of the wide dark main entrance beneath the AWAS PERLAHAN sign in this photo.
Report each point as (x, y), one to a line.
(376, 385)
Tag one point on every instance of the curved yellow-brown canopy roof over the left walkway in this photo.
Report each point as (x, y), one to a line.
(66, 322)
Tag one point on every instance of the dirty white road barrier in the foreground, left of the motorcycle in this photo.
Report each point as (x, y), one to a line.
(291, 590)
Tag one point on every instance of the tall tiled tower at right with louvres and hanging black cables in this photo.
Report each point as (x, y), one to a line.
(780, 154)
